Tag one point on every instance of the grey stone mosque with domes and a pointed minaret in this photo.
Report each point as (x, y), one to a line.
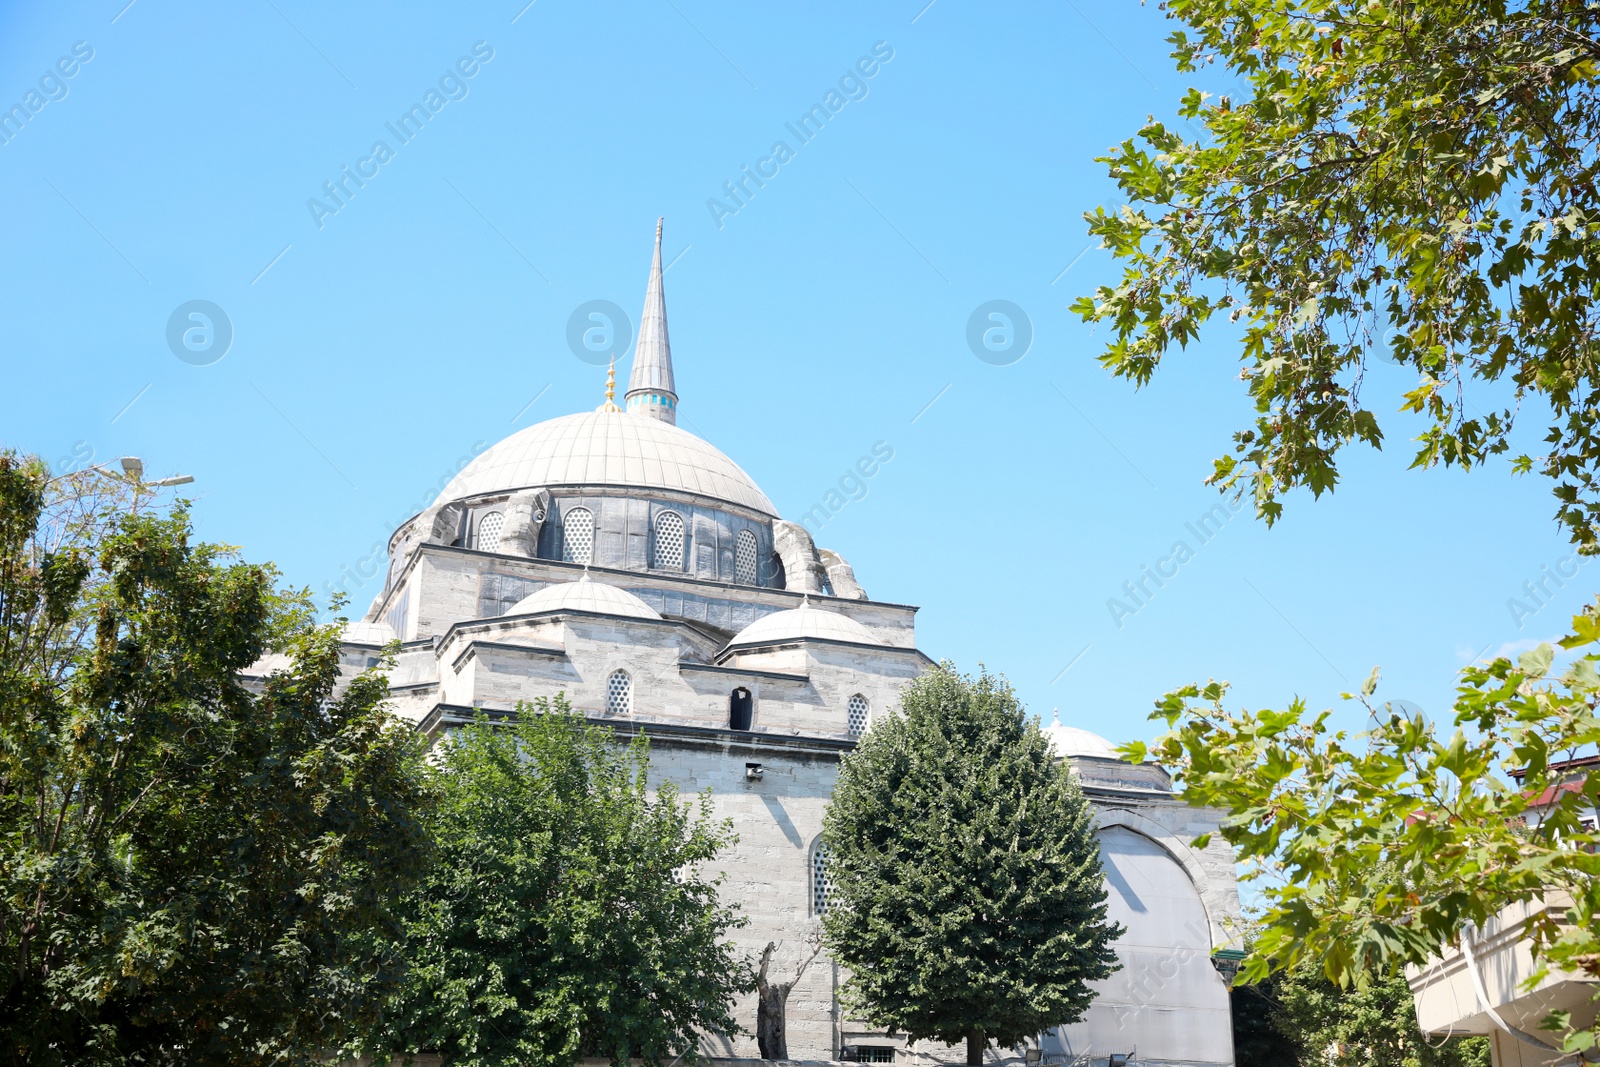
(628, 564)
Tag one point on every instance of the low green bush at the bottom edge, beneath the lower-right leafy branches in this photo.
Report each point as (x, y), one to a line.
(1374, 1026)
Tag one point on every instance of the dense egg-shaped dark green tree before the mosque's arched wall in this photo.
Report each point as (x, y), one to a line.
(967, 895)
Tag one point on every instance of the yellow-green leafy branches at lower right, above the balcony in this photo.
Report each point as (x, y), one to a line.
(1378, 849)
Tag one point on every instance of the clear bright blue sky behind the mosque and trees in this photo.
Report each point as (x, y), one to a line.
(374, 353)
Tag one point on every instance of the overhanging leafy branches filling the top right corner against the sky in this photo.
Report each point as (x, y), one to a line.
(1399, 180)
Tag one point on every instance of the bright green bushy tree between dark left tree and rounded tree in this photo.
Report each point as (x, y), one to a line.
(566, 914)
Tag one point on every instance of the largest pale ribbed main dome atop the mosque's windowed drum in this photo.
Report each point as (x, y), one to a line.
(607, 449)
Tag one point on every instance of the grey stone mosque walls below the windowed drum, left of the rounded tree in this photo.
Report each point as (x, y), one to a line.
(468, 649)
